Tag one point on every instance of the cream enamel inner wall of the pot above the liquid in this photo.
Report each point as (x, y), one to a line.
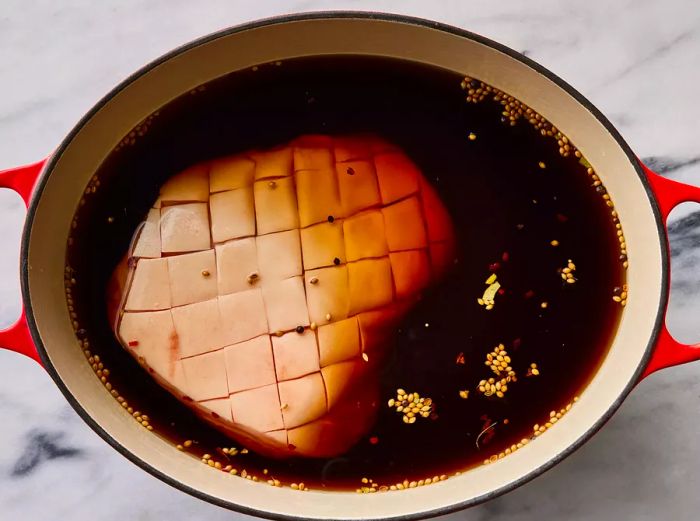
(97, 136)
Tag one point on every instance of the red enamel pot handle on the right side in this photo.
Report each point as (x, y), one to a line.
(669, 194)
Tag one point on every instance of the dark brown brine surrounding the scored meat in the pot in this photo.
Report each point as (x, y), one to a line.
(520, 208)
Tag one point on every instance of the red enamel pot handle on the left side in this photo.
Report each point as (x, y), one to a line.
(21, 180)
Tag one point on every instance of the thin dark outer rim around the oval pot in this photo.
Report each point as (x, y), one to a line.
(362, 15)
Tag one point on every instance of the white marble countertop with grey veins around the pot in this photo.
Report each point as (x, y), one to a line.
(637, 60)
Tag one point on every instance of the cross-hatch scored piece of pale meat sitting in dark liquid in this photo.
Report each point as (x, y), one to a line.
(263, 289)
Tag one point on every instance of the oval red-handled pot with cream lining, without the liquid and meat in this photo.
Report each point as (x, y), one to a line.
(52, 189)
